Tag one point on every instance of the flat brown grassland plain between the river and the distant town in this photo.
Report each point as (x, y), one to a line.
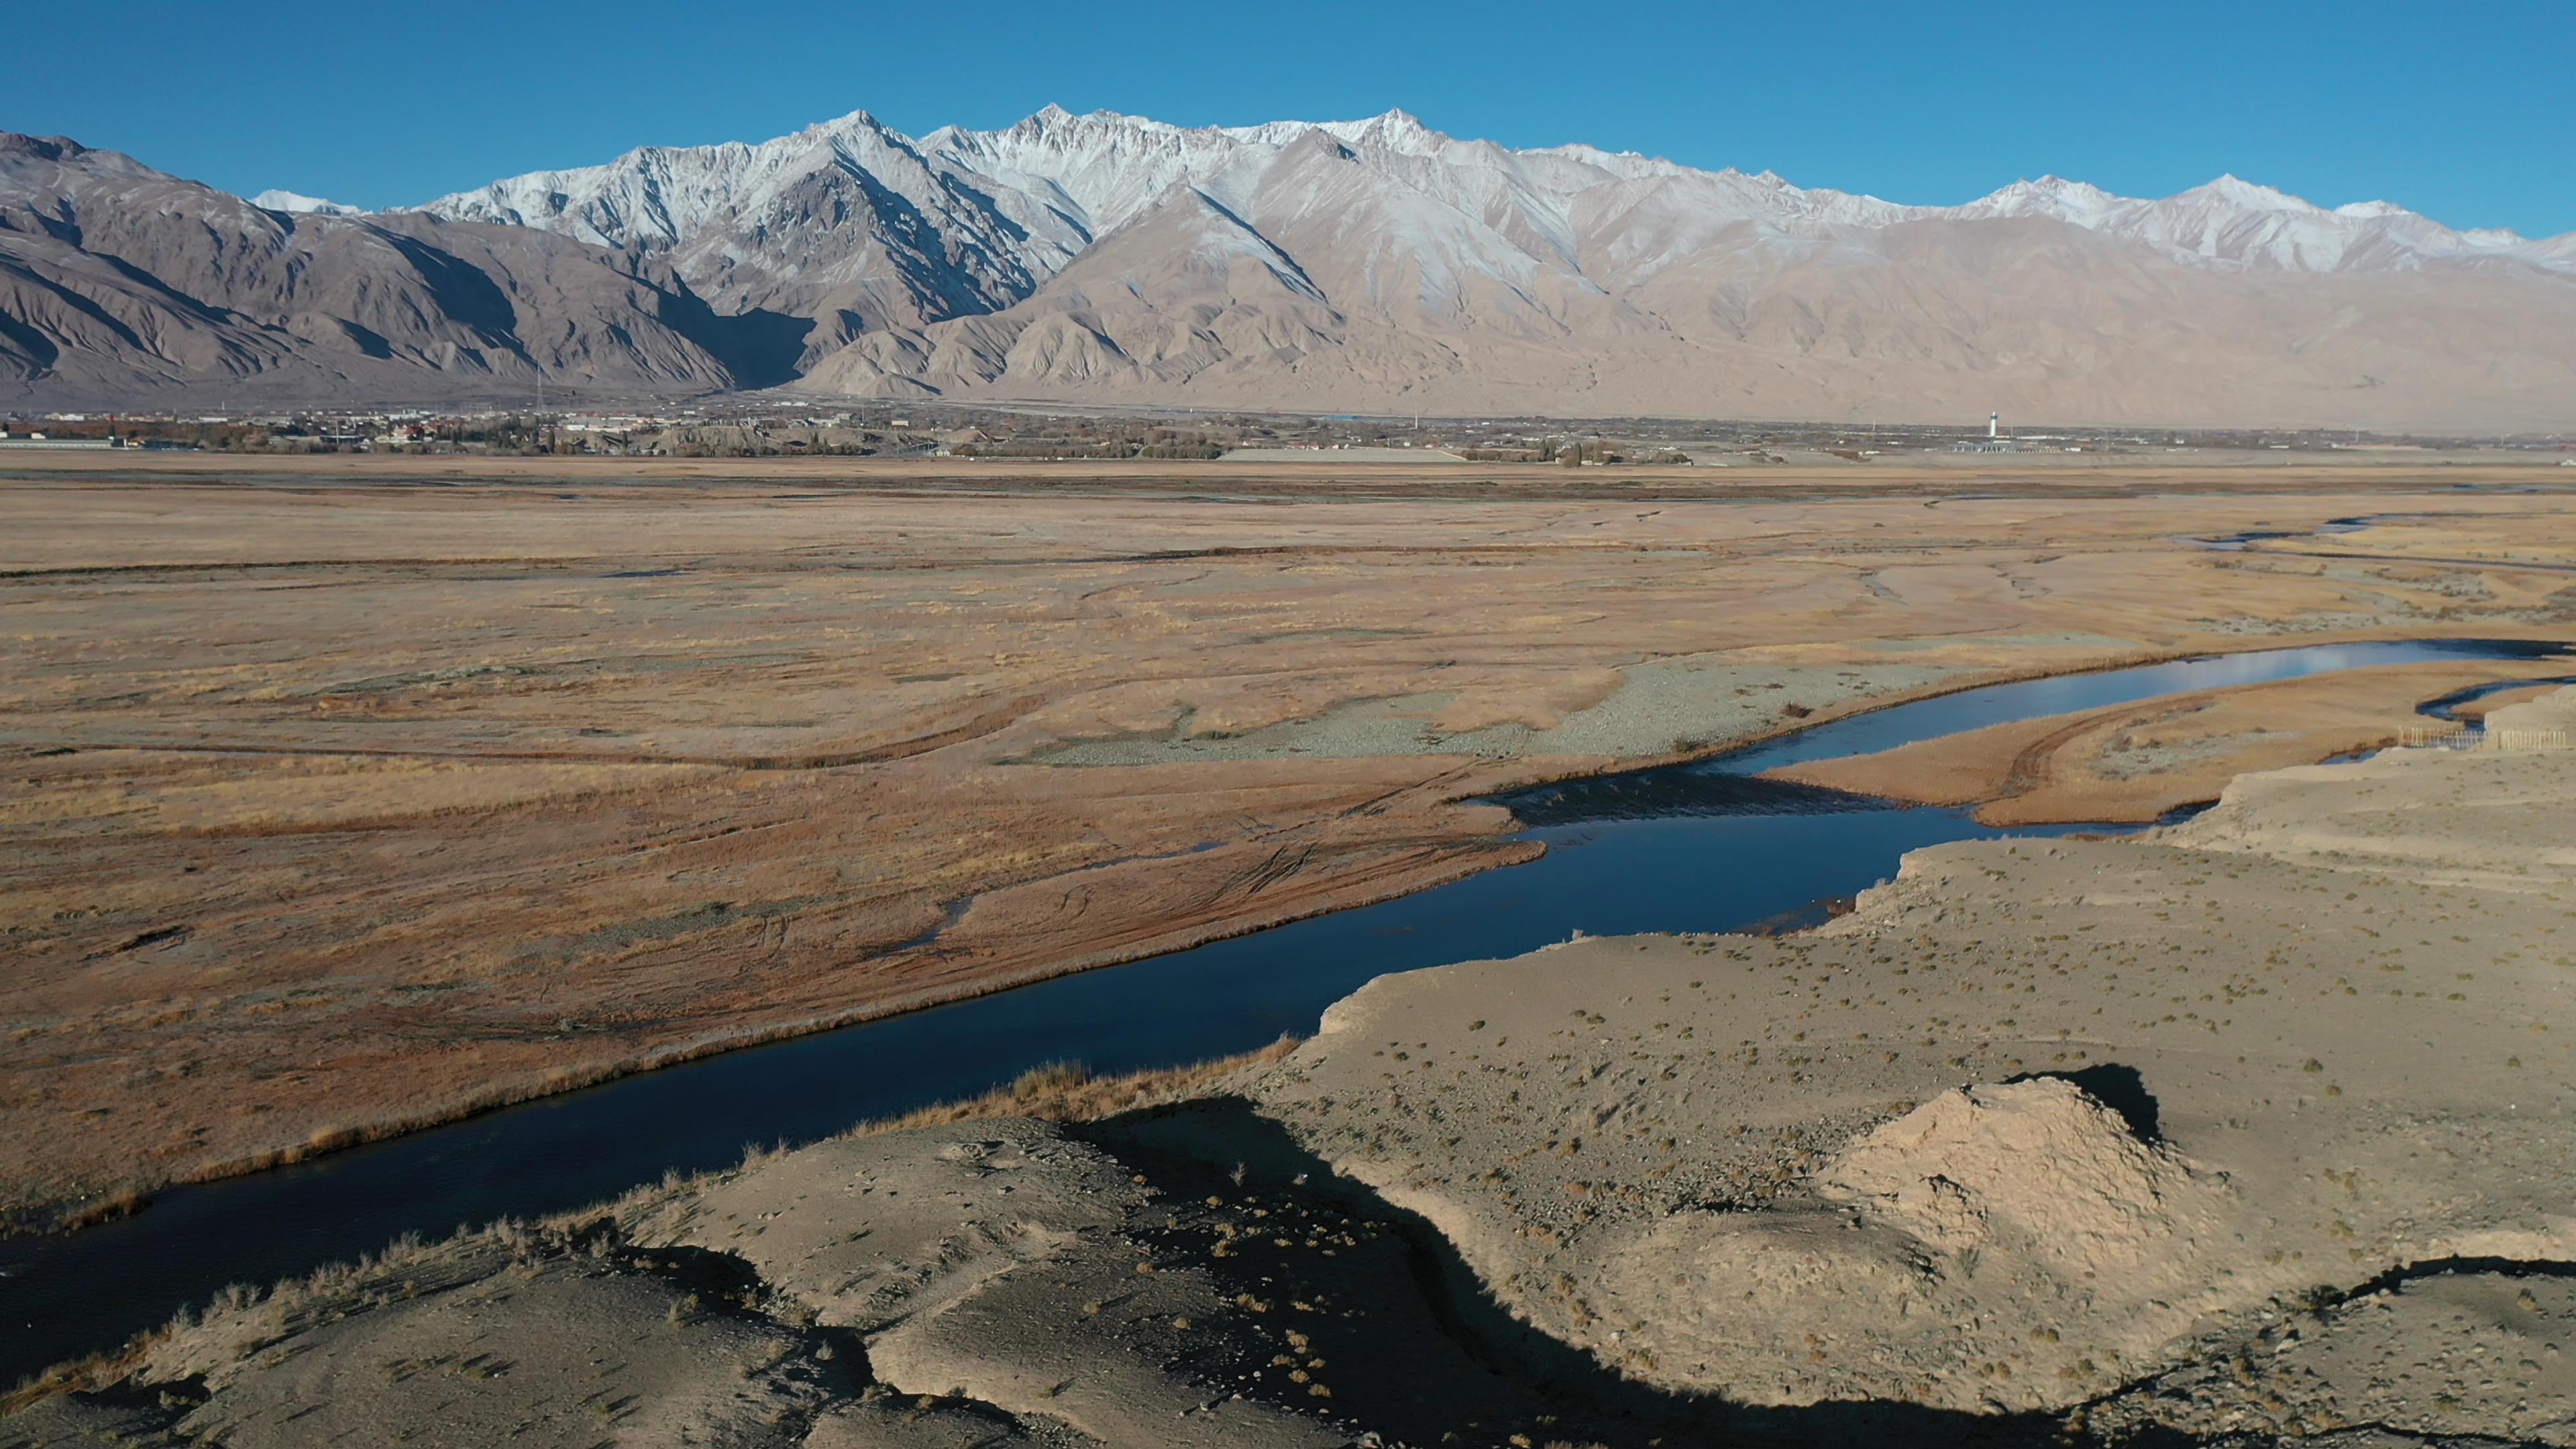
(339, 808)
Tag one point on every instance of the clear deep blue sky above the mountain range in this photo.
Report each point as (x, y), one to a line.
(2464, 112)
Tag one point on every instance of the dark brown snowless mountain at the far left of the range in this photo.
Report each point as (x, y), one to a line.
(122, 282)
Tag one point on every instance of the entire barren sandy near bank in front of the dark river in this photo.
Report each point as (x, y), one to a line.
(2237, 1133)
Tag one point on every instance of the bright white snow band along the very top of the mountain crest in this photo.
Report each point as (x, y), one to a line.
(1039, 192)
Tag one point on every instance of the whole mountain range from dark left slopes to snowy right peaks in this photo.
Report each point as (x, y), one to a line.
(1336, 267)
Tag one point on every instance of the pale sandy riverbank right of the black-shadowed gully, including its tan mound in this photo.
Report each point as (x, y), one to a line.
(2322, 1035)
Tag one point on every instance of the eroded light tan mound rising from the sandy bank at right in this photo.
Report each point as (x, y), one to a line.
(1959, 1254)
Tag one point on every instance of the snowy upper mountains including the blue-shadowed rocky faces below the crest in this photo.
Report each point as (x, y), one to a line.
(954, 223)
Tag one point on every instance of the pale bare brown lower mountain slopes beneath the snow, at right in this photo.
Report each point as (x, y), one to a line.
(1918, 321)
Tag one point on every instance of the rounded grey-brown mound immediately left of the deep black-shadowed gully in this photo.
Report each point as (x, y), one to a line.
(990, 1262)
